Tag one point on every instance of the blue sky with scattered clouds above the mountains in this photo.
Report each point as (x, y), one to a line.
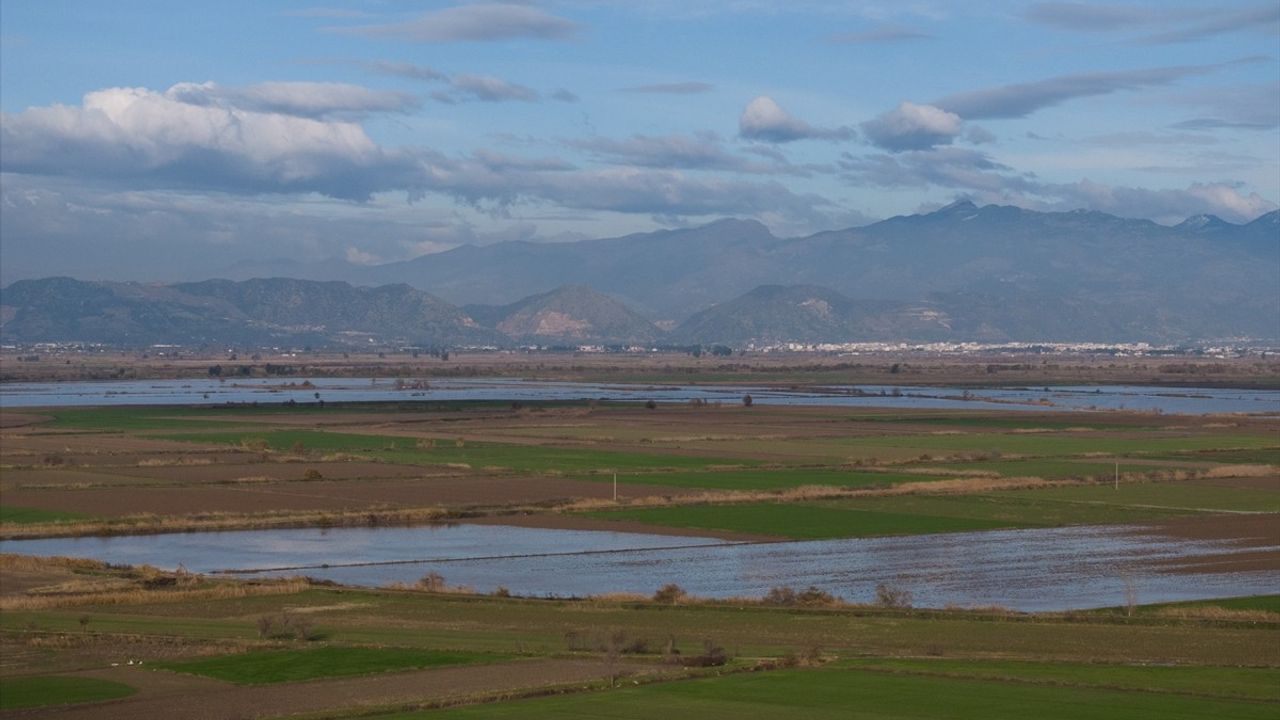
(163, 142)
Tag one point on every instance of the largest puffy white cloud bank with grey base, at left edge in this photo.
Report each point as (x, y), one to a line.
(162, 139)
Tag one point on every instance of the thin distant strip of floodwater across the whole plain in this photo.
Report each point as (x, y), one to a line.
(1195, 402)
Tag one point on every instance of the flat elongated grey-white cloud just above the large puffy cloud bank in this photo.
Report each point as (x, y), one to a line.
(303, 99)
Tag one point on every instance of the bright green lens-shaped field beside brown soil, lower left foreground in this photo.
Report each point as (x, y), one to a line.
(294, 666)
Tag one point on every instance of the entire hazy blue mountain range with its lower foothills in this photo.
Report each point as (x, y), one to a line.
(990, 274)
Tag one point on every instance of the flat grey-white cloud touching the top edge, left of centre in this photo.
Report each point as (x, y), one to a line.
(482, 22)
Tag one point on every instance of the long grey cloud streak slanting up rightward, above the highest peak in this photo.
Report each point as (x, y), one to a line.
(1023, 99)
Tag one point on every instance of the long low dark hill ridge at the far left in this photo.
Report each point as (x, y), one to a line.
(263, 312)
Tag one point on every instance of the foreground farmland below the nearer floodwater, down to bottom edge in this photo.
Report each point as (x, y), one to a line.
(120, 642)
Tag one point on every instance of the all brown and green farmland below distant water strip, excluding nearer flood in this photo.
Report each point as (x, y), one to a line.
(125, 642)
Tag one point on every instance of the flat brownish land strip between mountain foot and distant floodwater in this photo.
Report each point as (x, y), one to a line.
(778, 368)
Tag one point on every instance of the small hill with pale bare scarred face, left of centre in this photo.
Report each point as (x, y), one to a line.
(570, 315)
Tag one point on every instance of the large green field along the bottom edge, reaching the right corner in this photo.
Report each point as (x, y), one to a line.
(847, 692)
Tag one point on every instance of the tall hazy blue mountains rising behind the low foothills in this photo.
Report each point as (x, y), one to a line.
(1124, 279)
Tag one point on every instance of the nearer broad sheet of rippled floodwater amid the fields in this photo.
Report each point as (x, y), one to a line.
(1031, 569)
